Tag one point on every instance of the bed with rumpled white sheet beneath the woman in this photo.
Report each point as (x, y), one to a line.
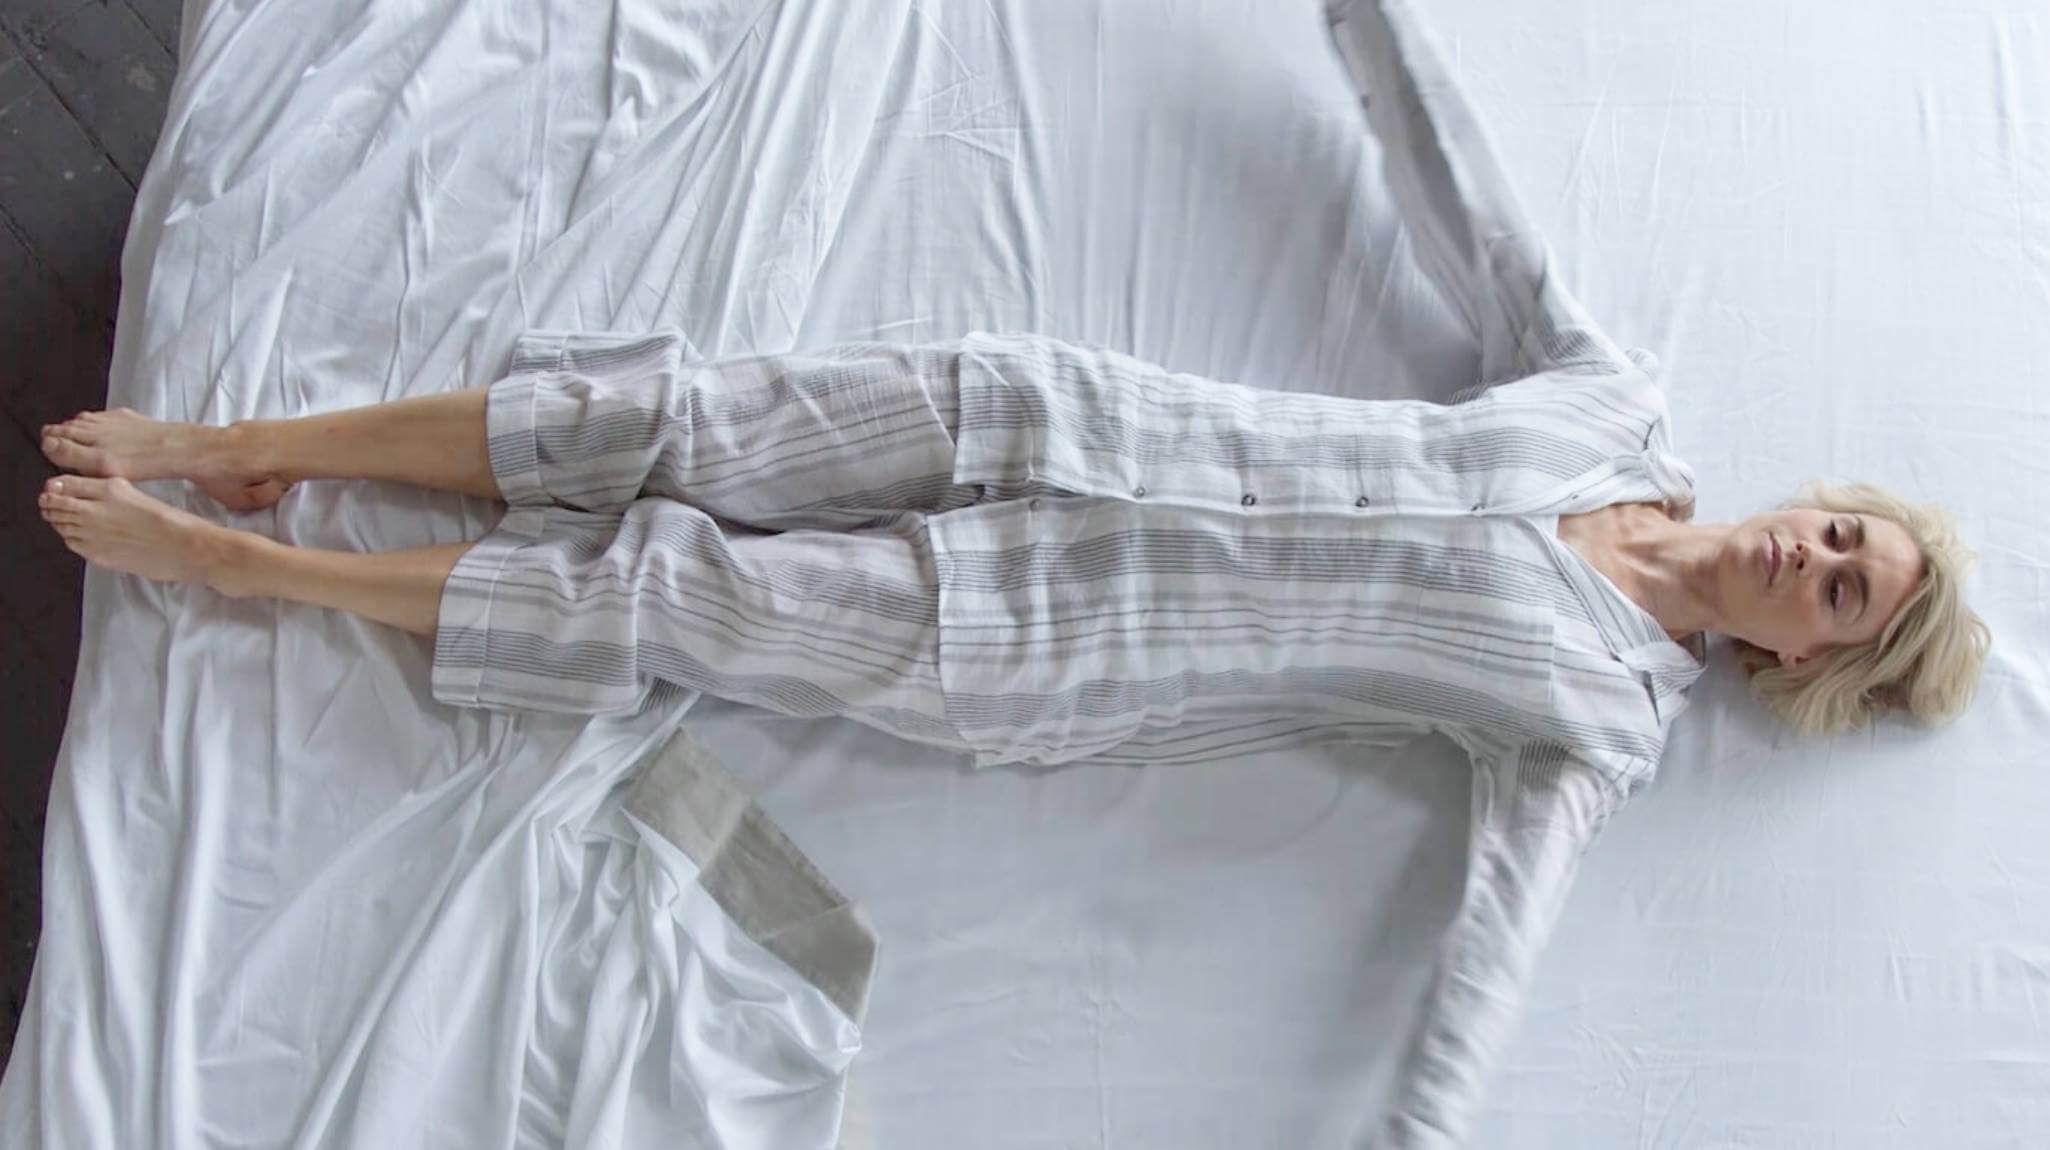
(290, 901)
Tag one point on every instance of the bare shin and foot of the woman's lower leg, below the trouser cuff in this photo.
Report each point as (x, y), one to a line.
(116, 526)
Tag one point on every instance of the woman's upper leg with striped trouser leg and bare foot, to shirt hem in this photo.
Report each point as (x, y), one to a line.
(831, 440)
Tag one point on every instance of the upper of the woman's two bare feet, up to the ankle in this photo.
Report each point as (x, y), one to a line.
(138, 448)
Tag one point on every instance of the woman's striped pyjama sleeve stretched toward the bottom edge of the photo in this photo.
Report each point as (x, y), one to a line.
(1536, 811)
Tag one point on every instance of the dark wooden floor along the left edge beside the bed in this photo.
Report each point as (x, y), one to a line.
(83, 89)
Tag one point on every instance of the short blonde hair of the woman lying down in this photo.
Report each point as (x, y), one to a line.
(1926, 661)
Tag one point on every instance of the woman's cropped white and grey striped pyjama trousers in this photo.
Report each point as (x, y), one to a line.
(749, 528)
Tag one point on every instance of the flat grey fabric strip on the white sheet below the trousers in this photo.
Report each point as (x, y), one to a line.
(764, 882)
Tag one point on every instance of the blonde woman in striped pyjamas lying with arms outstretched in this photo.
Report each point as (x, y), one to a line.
(1036, 552)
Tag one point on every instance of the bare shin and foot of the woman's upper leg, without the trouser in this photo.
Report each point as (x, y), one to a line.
(432, 442)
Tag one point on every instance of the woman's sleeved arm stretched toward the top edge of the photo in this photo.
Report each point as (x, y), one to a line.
(1471, 233)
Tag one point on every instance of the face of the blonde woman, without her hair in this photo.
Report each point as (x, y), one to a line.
(1801, 583)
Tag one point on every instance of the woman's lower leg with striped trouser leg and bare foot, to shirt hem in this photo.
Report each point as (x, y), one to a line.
(587, 614)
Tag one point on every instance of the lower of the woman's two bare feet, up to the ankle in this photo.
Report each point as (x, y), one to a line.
(116, 526)
